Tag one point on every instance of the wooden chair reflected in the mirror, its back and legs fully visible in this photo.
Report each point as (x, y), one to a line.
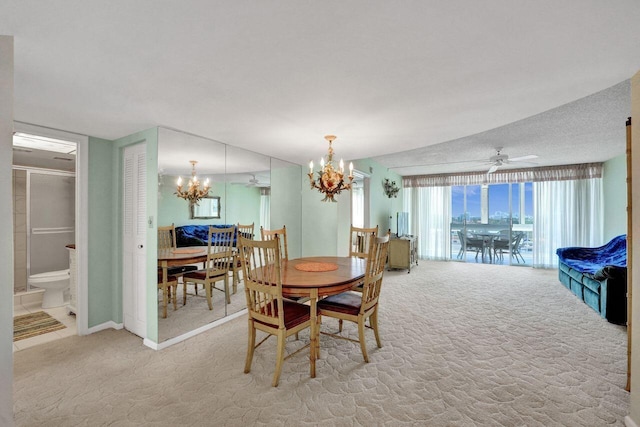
(217, 267)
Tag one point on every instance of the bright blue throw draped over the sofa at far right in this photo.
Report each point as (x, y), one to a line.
(592, 260)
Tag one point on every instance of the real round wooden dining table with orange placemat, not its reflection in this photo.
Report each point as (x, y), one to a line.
(319, 277)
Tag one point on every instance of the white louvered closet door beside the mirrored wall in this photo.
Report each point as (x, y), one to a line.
(134, 240)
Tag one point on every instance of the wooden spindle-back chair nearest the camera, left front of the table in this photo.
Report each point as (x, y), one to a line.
(268, 311)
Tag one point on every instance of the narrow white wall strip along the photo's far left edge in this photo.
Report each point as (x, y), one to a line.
(6, 245)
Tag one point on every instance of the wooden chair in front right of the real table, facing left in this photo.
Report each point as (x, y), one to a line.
(358, 307)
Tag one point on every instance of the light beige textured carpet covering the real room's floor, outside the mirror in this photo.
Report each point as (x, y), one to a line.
(463, 345)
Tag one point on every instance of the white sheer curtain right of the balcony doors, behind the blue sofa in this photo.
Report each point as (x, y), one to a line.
(566, 213)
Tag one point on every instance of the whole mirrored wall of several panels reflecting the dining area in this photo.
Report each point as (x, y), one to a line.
(247, 188)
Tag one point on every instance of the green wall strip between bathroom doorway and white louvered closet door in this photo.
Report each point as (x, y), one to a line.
(101, 272)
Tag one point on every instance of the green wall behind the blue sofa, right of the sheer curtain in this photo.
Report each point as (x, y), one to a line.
(614, 182)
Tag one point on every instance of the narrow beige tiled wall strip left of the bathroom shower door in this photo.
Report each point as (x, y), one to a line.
(20, 230)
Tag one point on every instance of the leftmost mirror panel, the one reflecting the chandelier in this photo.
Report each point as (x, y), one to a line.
(175, 151)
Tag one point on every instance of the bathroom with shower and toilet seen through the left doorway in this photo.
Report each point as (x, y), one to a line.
(44, 206)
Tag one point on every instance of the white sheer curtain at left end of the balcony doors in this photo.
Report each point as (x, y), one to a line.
(430, 218)
